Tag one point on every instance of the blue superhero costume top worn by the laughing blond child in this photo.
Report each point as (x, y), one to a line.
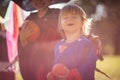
(79, 55)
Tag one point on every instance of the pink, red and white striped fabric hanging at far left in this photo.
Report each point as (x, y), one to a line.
(13, 20)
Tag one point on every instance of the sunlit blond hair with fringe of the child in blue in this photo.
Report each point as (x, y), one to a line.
(77, 10)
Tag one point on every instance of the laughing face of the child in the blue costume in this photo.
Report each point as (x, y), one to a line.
(71, 22)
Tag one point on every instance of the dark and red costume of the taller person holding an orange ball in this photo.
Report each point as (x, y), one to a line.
(36, 56)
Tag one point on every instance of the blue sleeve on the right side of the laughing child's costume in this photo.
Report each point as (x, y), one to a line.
(89, 63)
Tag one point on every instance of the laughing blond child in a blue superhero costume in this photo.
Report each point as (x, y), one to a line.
(75, 51)
